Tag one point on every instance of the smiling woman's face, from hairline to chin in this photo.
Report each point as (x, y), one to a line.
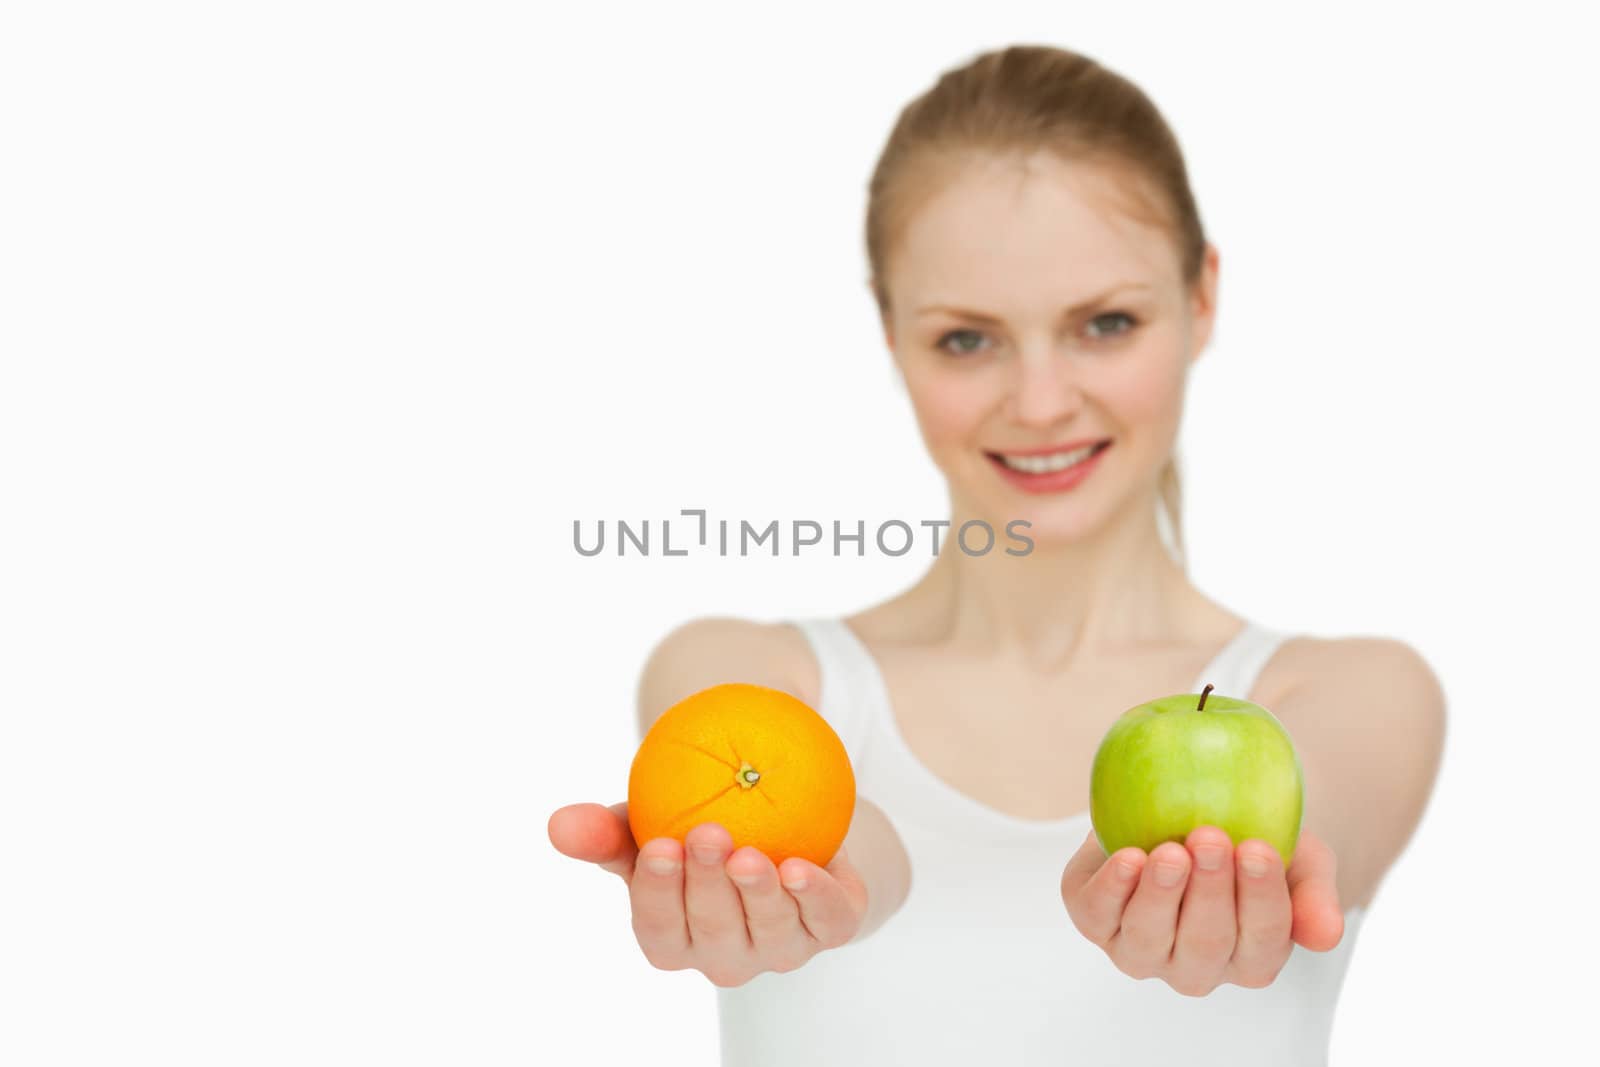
(1030, 314)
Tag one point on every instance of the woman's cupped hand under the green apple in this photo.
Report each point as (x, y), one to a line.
(1204, 913)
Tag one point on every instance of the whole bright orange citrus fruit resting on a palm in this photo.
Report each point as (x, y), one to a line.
(756, 761)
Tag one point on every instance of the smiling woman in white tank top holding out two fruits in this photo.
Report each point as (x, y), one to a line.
(1046, 287)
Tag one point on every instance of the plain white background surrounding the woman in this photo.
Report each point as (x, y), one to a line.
(322, 324)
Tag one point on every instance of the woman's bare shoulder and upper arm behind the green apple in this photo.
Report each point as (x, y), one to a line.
(1369, 719)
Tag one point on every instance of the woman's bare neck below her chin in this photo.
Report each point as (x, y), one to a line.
(1063, 604)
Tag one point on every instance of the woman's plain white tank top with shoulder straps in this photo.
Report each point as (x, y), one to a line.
(983, 965)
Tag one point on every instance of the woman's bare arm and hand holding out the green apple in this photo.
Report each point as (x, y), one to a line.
(1369, 722)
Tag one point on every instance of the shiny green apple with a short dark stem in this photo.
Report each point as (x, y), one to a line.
(1191, 761)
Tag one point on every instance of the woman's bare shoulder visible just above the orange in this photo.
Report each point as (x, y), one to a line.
(713, 650)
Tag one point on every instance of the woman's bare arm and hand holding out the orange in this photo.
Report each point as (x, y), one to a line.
(700, 916)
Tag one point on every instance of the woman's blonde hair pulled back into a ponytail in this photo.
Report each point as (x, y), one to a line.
(1022, 100)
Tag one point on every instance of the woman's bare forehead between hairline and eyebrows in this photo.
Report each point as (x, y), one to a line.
(1012, 231)
